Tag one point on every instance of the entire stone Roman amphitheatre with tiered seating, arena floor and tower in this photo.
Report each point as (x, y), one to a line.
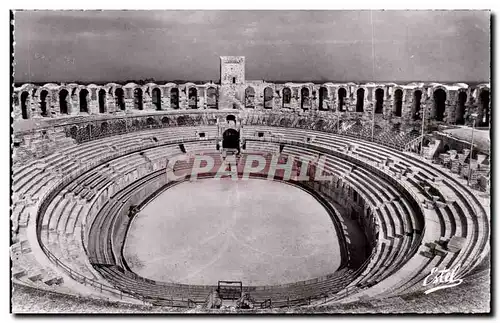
(96, 213)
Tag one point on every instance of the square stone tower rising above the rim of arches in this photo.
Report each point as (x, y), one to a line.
(232, 79)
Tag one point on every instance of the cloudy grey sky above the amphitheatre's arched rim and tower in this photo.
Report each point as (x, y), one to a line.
(357, 46)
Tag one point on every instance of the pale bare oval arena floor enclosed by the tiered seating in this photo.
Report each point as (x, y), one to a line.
(256, 231)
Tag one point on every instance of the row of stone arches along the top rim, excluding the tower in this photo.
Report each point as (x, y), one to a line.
(441, 104)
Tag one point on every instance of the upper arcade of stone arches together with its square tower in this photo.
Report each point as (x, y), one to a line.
(446, 103)
